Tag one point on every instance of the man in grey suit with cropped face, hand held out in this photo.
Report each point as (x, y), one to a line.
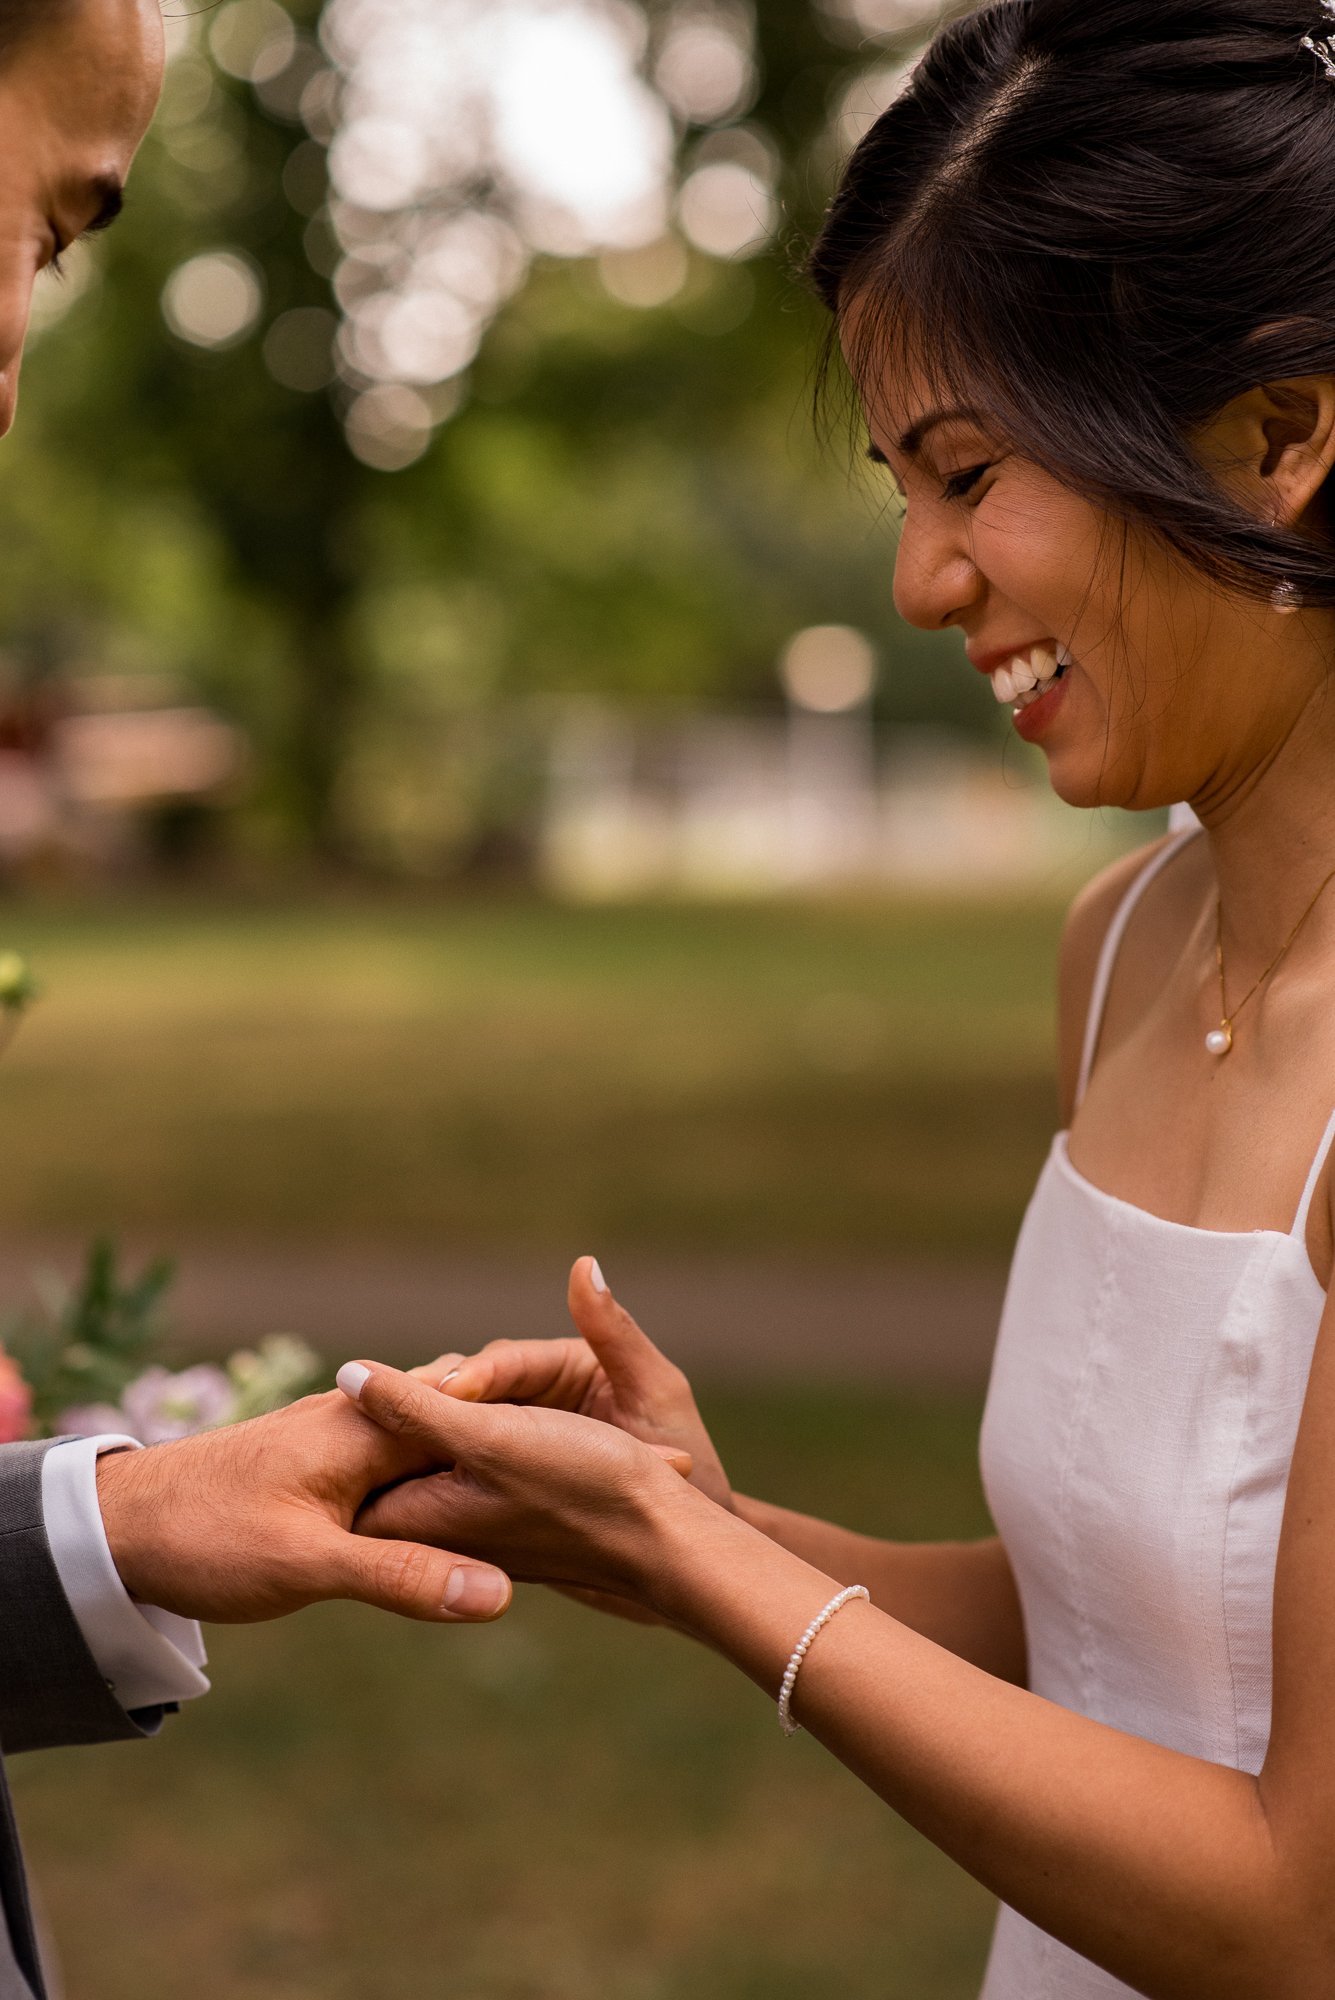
(107, 1553)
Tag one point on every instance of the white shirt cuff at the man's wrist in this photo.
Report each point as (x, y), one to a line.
(145, 1655)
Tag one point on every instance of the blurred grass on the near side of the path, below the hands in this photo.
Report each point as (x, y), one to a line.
(555, 1809)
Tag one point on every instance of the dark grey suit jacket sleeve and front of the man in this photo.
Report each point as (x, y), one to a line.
(51, 1689)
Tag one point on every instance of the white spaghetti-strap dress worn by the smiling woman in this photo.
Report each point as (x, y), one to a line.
(1140, 1429)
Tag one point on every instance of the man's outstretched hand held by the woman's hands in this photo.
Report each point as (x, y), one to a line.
(257, 1521)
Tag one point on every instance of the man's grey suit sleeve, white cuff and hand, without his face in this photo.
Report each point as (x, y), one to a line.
(109, 1555)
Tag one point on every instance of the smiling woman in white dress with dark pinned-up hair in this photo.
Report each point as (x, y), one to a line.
(1084, 279)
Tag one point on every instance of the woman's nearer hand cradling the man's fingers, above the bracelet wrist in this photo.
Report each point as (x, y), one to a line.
(569, 1501)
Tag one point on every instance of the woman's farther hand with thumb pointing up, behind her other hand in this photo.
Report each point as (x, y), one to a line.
(615, 1375)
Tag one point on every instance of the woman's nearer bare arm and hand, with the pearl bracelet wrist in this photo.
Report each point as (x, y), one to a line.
(1182, 1879)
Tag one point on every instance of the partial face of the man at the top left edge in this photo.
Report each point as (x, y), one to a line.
(75, 105)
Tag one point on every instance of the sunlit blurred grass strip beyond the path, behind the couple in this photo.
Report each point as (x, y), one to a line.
(513, 1075)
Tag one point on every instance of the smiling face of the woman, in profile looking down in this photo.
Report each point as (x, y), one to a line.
(1174, 689)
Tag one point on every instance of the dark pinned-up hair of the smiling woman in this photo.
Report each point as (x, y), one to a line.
(1102, 221)
